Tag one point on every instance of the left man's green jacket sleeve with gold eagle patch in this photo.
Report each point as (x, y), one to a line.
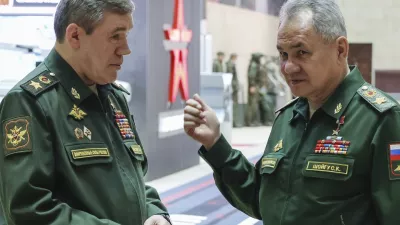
(27, 167)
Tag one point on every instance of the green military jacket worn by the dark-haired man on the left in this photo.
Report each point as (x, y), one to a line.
(69, 156)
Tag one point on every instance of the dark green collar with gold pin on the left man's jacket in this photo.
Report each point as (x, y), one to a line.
(69, 79)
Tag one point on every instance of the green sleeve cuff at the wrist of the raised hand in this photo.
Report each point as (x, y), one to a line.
(218, 154)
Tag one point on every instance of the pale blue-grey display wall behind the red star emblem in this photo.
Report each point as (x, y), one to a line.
(147, 70)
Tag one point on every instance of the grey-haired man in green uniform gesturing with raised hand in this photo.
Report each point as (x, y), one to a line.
(333, 155)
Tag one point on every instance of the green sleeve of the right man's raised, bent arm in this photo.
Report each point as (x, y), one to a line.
(235, 176)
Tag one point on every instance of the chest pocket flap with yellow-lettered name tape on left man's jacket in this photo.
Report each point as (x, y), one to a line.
(82, 154)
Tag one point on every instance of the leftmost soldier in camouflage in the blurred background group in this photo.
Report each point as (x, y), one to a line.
(253, 76)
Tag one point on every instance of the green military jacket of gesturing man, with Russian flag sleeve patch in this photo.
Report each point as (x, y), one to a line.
(341, 167)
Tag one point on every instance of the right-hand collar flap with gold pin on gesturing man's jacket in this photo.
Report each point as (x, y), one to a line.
(344, 93)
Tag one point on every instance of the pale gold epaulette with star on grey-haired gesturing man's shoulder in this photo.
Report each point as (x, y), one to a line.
(376, 98)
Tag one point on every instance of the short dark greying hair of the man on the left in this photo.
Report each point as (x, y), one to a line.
(86, 13)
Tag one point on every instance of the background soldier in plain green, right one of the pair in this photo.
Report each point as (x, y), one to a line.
(231, 68)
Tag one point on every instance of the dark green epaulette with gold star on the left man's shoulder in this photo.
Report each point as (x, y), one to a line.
(40, 83)
